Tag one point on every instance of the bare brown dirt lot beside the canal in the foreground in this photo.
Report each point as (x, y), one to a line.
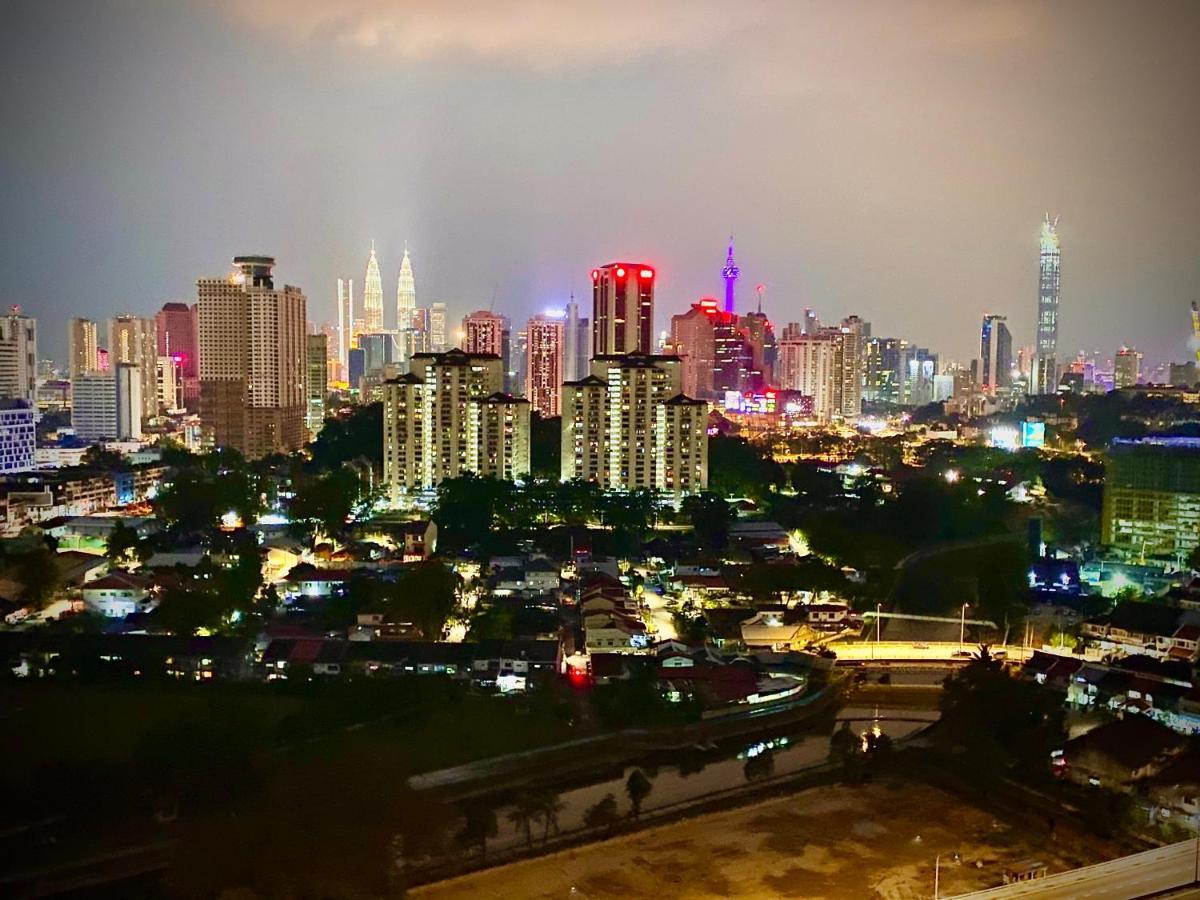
(879, 841)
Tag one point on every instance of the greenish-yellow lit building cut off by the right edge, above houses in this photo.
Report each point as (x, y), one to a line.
(1153, 499)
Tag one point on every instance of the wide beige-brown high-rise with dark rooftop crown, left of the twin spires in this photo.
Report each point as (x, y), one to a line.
(253, 359)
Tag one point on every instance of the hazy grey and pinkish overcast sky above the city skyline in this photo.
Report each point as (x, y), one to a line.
(892, 159)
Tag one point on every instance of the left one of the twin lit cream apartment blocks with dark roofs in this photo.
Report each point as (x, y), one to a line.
(443, 419)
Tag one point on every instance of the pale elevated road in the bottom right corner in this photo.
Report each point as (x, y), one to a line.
(1139, 875)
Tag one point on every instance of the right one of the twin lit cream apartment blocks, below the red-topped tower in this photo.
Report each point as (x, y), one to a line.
(615, 435)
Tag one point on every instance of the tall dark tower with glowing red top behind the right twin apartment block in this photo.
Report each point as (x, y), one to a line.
(623, 310)
